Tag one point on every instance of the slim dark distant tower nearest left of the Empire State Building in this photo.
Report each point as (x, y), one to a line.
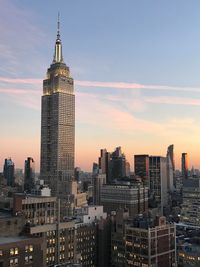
(29, 174)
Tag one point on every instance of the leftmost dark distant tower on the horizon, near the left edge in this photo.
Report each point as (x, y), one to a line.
(9, 172)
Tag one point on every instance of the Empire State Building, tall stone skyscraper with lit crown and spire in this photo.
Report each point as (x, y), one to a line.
(58, 124)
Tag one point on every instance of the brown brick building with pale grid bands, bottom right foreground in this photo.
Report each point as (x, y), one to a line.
(147, 246)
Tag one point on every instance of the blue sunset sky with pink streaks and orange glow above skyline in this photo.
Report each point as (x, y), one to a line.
(136, 66)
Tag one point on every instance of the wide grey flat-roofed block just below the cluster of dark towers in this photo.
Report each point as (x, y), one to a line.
(132, 197)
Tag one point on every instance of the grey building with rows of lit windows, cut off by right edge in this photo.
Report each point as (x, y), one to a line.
(190, 212)
